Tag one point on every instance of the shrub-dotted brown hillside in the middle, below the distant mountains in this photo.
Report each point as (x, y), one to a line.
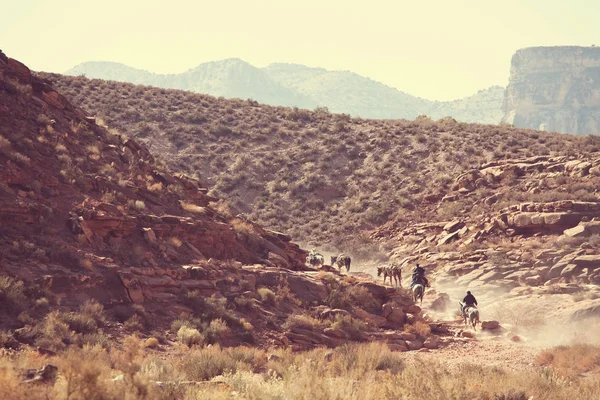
(321, 177)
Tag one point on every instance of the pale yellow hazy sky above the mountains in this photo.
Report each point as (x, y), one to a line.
(440, 50)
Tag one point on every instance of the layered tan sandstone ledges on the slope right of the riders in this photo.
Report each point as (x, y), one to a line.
(532, 264)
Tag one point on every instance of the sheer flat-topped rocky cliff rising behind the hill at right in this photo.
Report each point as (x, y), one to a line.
(555, 89)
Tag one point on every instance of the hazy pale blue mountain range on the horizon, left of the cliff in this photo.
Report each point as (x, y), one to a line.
(305, 87)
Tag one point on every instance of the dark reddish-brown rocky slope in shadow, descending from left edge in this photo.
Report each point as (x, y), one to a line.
(99, 241)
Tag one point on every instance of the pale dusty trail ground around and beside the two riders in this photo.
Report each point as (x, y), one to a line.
(532, 319)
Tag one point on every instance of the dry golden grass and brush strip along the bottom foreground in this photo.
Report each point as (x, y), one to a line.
(368, 371)
